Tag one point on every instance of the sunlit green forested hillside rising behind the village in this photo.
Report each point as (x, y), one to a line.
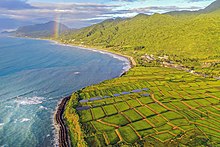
(184, 38)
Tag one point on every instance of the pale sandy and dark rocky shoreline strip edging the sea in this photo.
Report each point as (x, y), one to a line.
(62, 133)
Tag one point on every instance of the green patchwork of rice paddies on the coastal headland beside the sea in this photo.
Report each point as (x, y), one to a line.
(148, 106)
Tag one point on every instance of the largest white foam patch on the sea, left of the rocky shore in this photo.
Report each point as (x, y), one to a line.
(29, 100)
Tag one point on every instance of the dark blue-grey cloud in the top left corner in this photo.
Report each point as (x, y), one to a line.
(15, 5)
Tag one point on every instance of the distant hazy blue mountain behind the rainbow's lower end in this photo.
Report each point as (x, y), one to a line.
(48, 29)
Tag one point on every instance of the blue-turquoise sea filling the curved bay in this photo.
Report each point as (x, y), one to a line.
(34, 76)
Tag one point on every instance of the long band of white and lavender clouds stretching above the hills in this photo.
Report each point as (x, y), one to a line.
(74, 15)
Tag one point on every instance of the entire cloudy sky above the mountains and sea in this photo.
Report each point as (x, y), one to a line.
(82, 13)
